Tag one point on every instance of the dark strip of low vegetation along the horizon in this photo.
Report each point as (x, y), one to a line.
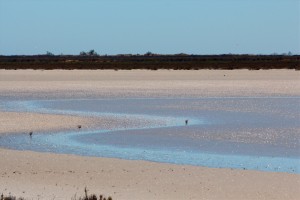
(150, 61)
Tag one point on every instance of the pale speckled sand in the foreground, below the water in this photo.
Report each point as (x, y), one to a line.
(130, 179)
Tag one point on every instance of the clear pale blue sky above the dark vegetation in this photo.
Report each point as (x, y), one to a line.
(159, 26)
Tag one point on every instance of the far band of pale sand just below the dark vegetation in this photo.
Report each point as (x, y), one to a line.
(141, 83)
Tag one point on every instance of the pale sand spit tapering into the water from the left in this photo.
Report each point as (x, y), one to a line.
(26, 122)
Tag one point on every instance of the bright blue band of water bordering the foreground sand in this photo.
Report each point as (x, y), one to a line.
(69, 143)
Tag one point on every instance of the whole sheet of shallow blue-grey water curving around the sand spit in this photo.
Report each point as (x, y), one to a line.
(245, 133)
